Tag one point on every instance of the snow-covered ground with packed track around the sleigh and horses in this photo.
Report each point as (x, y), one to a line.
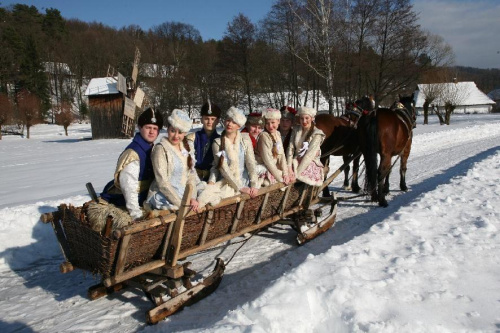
(430, 262)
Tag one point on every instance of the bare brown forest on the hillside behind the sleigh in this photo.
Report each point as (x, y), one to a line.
(341, 50)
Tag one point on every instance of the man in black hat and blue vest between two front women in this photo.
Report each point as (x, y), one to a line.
(201, 140)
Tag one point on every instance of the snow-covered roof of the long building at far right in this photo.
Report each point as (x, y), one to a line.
(470, 92)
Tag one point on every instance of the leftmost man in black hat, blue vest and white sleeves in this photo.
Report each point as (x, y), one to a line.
(134, 170)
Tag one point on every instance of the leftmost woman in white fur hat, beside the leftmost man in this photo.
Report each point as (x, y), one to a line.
(173, 164)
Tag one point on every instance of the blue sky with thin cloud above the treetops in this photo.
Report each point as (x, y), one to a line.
(472, 28)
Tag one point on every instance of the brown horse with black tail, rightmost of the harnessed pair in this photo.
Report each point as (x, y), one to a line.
(387, 132)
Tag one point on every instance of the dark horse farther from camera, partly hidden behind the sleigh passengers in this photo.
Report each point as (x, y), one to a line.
(340, 140)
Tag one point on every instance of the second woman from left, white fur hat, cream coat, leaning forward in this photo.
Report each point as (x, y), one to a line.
(233, 171)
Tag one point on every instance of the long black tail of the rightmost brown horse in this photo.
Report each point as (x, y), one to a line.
(371, 149)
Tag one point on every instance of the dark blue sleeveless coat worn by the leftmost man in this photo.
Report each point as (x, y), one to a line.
(146, 172)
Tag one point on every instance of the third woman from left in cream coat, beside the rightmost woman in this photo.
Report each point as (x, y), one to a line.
(270, 151)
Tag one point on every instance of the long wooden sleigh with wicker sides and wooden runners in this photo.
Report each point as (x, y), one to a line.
(147, 254)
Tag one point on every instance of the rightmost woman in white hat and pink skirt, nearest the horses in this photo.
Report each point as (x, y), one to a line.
(304, 150)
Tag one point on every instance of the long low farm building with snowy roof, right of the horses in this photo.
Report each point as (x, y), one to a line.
(468, 97)
